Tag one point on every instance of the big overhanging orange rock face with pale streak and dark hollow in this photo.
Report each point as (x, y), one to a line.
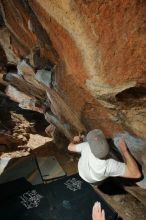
(102, 50)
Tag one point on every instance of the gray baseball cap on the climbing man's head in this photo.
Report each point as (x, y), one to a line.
(98, 143)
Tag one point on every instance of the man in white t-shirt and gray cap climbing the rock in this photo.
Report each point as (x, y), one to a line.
(94, 164)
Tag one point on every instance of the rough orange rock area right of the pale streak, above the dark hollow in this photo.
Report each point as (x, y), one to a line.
(119, 32)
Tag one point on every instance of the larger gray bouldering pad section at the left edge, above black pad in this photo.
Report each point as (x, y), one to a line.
(20, 167)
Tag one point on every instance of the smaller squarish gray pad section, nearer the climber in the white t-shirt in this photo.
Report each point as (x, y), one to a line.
(50, 168)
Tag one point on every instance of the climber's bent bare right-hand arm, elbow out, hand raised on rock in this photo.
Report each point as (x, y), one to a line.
(131, 169)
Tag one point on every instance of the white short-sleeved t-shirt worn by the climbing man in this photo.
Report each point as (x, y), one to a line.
(92, 169)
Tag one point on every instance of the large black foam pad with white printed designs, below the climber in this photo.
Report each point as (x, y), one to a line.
(70, 198)
